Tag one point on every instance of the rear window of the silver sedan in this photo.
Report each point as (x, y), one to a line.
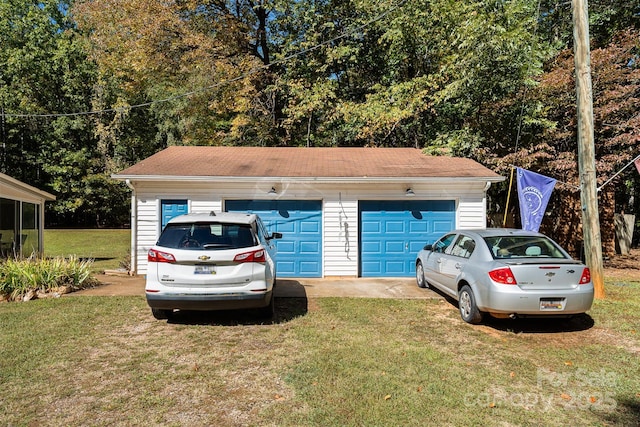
(523, 247)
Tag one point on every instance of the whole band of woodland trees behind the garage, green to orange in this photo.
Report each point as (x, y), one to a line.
(88, 87)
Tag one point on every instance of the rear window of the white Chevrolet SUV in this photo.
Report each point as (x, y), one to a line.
(207, 236)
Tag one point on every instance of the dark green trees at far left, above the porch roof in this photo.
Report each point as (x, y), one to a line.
(44, 75)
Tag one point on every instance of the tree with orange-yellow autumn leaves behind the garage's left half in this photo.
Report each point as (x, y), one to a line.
(199, 65)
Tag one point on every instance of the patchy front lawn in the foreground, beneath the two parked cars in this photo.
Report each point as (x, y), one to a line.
(323, 362)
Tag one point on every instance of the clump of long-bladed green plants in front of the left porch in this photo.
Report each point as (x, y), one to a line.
(19, 276)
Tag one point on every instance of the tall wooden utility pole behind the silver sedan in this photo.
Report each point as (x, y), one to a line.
(586, 147)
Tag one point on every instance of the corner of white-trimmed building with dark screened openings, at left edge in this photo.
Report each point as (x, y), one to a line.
(21, 217)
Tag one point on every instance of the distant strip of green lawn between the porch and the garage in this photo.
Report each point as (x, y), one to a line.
(108, 247)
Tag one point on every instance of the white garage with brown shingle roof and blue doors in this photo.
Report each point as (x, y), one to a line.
(342, 211)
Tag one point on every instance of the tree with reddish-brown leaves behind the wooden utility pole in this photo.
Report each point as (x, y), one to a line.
(549, 142)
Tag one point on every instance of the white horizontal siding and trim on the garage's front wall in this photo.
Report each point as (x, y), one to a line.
(339, 204)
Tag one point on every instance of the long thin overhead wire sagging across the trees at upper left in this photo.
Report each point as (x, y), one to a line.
(217, 85)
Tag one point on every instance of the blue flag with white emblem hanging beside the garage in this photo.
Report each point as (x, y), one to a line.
(534, 192)
